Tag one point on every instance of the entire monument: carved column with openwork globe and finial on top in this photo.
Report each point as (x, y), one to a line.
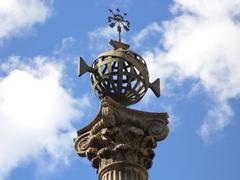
(119, 141)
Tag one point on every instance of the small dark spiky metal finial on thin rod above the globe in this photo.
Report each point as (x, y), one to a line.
(118, 20)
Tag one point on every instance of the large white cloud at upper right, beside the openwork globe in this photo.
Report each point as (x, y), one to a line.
(202, 43)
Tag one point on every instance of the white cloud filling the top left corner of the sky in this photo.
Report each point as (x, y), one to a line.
(18, 16)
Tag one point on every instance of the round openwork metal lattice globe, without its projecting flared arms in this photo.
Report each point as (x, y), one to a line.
(121, 74)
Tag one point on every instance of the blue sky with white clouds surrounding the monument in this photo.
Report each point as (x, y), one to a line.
(193, 46)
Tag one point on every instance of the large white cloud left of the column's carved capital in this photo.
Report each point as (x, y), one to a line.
(36, 114)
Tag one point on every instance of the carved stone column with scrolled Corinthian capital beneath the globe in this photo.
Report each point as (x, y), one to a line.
(120, 141)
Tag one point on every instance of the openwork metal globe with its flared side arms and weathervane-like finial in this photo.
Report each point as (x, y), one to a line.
(119, 73)
